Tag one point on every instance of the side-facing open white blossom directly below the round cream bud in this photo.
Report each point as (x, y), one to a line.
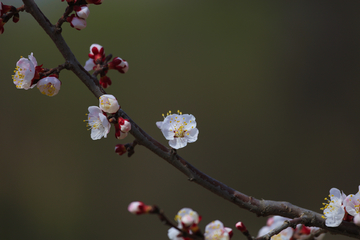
(98, 122)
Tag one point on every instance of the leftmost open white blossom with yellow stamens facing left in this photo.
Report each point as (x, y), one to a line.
(25, 72)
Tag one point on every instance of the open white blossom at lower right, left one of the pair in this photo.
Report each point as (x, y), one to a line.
(334, 210)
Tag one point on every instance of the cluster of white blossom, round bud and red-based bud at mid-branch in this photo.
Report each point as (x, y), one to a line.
(98, 120)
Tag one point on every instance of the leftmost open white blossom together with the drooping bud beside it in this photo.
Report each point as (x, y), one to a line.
(27, 76)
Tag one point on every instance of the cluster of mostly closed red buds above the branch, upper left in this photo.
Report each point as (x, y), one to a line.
(98, 61)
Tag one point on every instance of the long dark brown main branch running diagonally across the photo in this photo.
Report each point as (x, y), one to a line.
(259, 207)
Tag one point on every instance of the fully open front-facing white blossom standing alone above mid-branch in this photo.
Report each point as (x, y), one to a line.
(179, 129)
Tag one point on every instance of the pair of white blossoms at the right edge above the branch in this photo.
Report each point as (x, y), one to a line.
(340, 207)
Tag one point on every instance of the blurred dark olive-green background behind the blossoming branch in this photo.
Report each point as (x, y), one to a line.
(274, 86)
